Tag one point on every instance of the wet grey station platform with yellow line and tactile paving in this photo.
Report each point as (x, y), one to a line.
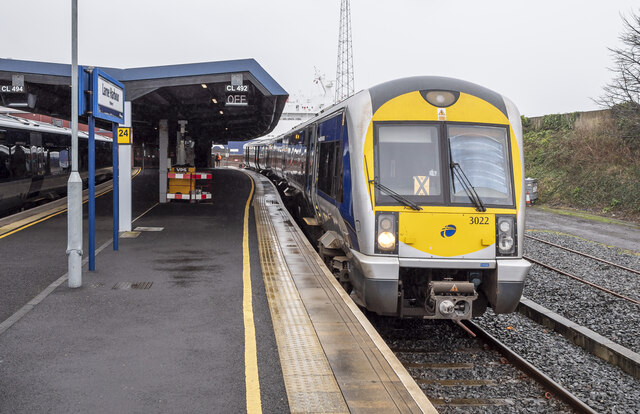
(221, 307)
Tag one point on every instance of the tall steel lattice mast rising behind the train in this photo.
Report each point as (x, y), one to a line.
(344, 71)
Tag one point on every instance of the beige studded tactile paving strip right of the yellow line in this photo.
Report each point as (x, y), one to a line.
(310, 383)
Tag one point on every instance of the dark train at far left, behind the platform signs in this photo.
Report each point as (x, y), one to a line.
(35, 162)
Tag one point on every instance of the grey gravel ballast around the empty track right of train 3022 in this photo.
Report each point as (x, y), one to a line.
(612, 317)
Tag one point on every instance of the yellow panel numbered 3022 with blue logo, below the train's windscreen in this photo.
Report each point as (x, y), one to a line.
(447, 234)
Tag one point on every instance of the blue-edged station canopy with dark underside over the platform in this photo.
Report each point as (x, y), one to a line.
(234, 100)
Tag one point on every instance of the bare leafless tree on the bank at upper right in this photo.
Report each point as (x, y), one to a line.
(622, 94)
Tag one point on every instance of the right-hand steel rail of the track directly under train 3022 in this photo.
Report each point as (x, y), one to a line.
(531, 370)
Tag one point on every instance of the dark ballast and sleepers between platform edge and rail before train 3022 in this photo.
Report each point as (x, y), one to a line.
(428, 348)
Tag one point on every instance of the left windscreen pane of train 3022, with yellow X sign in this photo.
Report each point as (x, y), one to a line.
(407, 161)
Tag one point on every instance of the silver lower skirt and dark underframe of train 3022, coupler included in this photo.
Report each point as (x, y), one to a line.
(381, 285)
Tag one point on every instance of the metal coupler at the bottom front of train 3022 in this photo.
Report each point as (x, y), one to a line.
(451, 299)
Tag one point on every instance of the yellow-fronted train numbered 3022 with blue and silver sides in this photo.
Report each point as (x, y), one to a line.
(414, 190)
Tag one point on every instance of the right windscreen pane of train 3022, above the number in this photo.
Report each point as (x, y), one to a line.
(483, 154)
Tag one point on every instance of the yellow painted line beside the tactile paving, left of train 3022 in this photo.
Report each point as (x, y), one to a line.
(252, 380)
